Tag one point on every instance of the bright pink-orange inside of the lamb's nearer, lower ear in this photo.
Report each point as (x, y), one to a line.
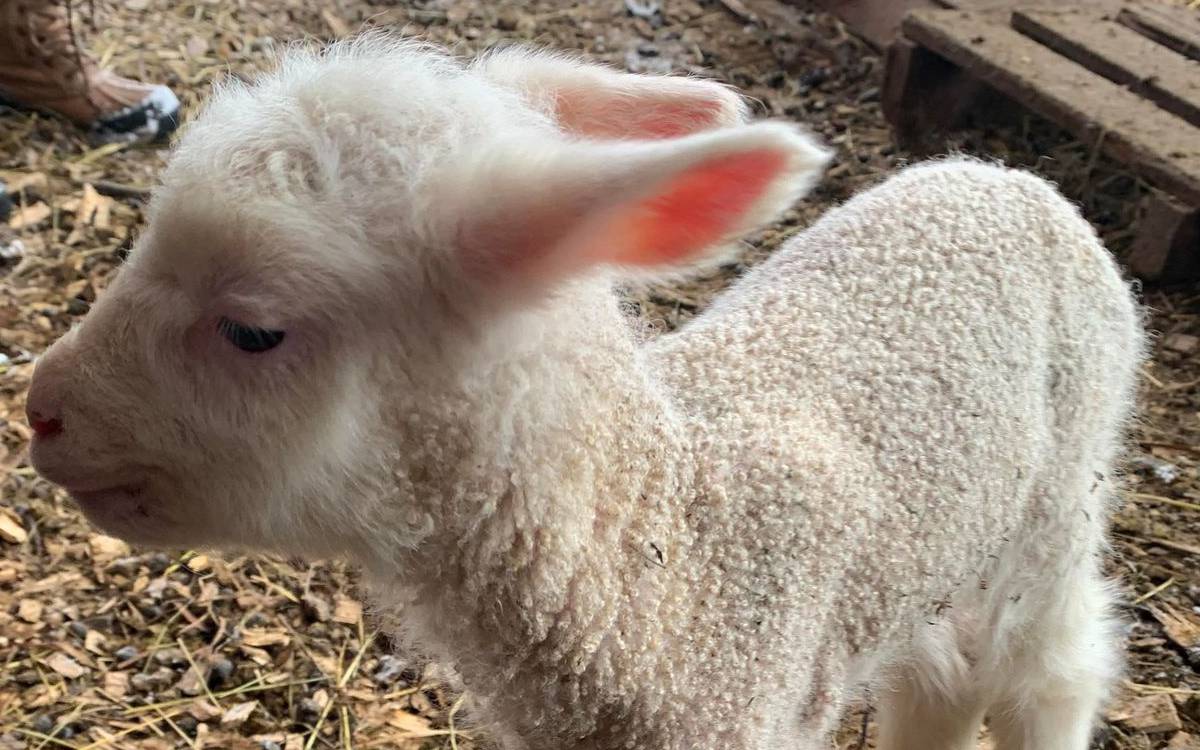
(692, 213)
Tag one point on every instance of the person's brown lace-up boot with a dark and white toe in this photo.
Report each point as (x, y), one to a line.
(44, 68)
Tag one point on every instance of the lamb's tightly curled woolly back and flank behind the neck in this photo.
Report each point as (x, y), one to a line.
(881, 406)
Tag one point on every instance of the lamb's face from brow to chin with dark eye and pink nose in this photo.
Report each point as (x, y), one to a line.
(220, 383)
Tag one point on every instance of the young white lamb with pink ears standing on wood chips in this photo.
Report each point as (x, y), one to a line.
(373, 317)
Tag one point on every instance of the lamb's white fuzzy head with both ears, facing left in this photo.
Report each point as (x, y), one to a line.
(331, 243)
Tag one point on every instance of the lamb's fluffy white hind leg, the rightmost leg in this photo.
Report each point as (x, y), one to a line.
(1061, 671)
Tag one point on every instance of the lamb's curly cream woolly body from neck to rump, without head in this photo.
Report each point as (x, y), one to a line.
(885, 455)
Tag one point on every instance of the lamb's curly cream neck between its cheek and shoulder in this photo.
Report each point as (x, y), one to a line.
(554, 461)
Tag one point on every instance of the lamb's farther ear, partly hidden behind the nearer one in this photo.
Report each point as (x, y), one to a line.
(599, 103)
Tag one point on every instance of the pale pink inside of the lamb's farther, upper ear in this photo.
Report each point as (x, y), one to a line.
(626, 116)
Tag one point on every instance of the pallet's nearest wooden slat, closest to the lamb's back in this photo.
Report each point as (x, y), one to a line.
(1161, 147)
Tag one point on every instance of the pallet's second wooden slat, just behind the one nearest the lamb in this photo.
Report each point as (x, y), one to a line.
(1120, 55)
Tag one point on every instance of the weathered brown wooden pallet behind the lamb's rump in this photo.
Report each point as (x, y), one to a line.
(1125, 77)
